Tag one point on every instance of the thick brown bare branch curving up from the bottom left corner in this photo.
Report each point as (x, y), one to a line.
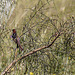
(30, 53)
